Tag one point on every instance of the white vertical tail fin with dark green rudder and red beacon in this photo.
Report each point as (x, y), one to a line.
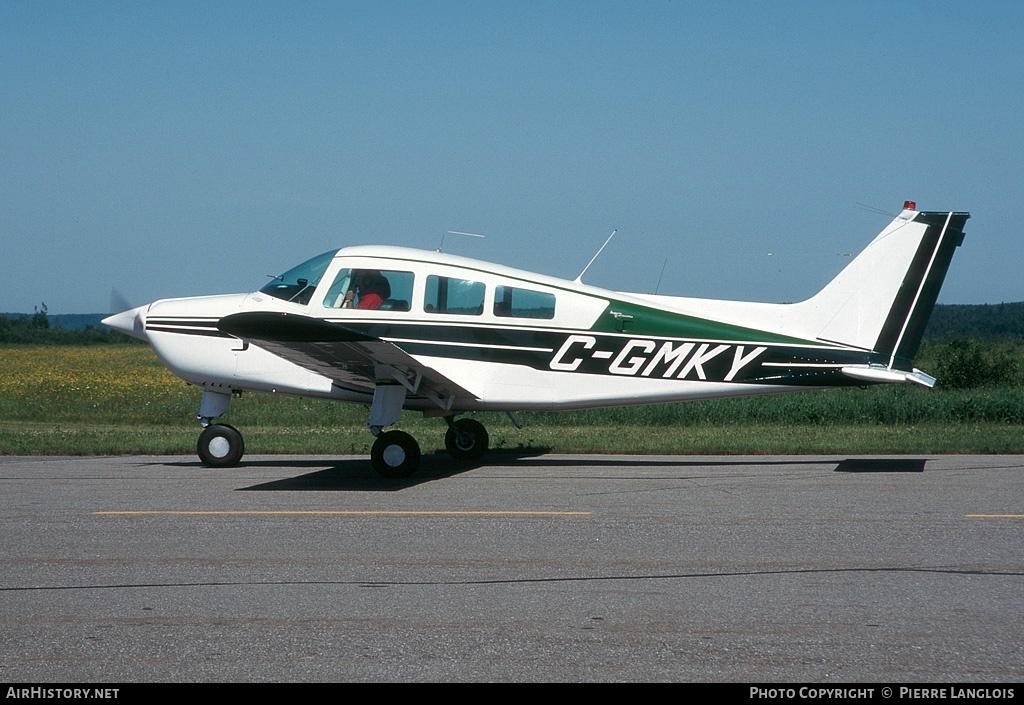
(883, 300)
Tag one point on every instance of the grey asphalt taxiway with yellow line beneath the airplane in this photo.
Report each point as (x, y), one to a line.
(528, 568)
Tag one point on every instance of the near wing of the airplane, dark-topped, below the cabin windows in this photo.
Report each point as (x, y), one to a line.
(354, 360)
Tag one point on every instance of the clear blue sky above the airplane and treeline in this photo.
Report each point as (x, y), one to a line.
(179, 149)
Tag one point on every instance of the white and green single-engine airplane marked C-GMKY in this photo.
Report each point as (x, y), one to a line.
(401, 329)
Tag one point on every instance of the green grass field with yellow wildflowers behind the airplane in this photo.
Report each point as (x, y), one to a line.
(120, 400)
